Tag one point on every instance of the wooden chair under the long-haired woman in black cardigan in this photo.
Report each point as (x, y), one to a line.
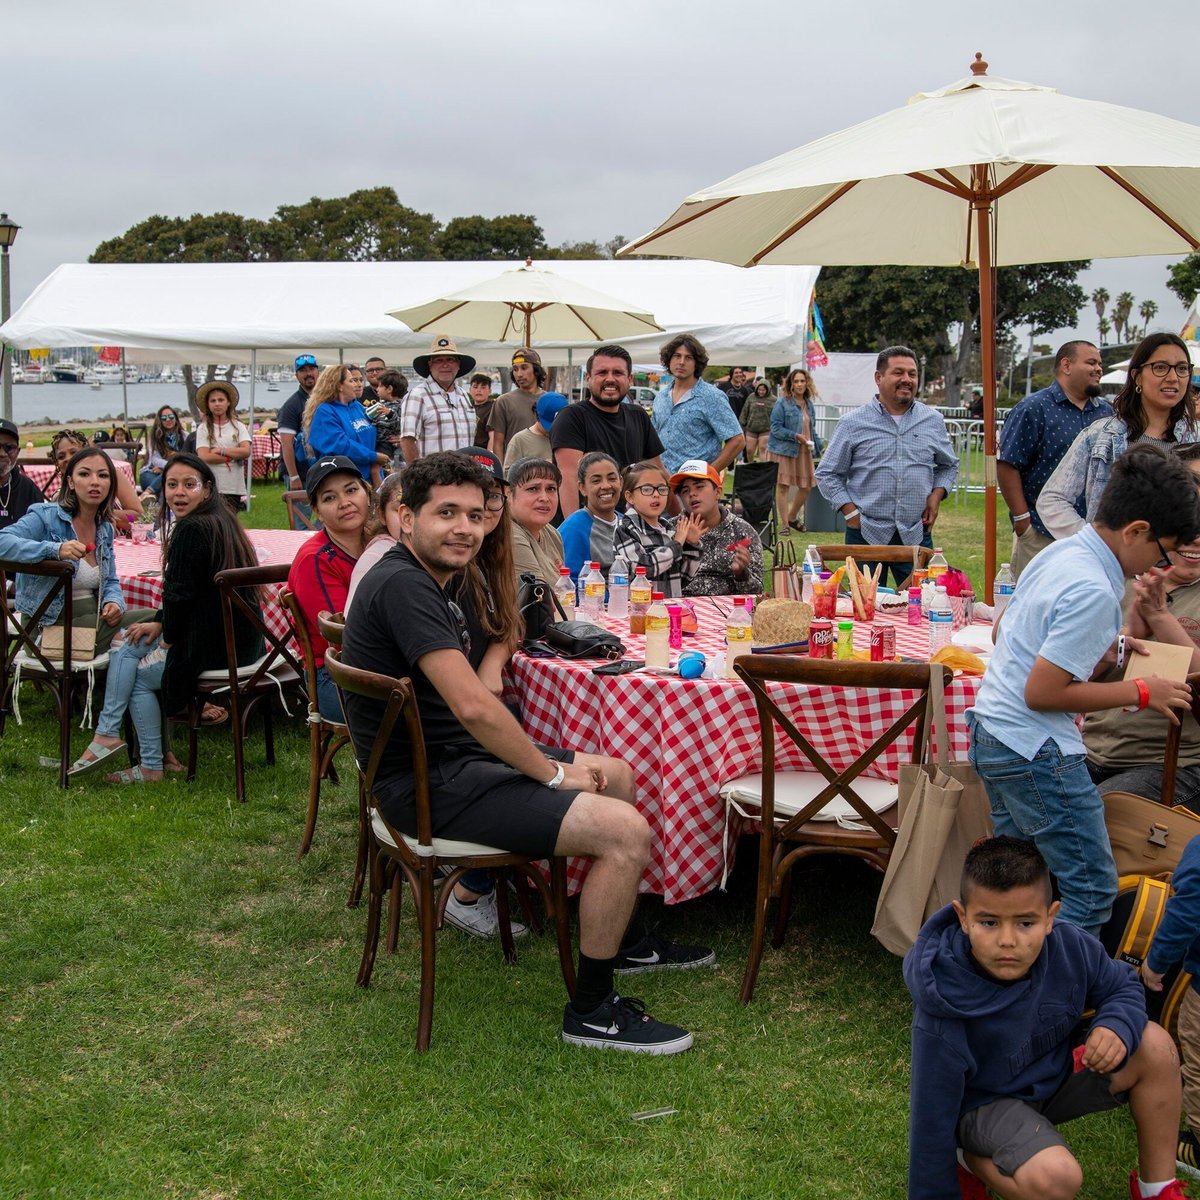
(245, 687)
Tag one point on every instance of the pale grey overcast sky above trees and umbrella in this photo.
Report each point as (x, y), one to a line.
(598, 118)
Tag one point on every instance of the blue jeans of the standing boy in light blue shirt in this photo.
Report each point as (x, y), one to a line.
(1053, 803)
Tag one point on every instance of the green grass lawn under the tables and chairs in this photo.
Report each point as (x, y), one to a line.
(179, 1018)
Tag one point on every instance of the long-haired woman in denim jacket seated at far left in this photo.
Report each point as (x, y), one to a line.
(77, 529)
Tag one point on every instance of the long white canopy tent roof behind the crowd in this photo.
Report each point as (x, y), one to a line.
(235, 313)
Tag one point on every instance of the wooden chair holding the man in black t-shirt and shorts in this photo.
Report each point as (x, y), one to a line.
(419, 859)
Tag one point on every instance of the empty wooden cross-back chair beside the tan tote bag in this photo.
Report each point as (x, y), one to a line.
(785, 805)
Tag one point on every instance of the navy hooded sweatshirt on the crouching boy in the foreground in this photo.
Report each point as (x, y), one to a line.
(976, 1041)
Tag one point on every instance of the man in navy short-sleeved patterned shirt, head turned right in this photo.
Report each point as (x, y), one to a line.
(1037, 434)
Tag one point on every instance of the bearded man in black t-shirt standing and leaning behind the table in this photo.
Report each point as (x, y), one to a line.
(603, 422)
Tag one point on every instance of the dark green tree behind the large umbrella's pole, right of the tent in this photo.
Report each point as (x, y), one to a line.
(937, 310)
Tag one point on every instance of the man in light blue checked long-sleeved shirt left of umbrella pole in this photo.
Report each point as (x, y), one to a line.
(890, 464)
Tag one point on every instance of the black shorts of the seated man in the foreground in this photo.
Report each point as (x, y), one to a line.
(475, 797)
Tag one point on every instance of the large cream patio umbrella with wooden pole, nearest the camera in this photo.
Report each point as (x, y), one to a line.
(980, 175)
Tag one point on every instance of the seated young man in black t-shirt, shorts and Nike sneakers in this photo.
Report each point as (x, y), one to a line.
(488, 783)
